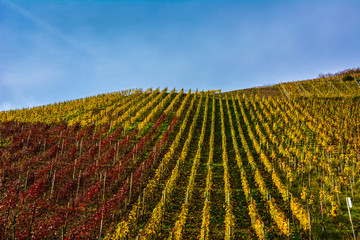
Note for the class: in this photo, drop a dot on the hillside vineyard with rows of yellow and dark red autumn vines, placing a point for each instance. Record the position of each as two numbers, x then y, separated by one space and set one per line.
271 163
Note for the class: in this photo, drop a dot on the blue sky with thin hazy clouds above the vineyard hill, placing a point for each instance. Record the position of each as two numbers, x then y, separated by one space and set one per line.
53 51
